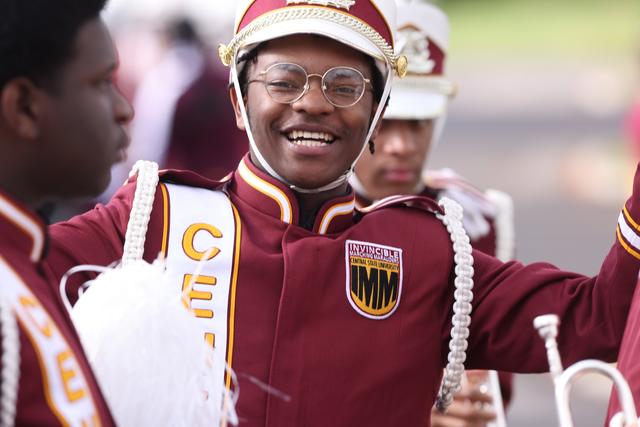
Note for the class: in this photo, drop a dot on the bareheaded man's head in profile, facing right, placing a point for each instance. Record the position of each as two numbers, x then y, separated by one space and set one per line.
61 117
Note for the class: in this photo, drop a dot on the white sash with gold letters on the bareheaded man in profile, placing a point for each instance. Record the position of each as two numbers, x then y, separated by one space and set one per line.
65 386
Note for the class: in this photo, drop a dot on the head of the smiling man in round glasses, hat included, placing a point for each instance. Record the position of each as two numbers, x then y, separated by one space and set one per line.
310 82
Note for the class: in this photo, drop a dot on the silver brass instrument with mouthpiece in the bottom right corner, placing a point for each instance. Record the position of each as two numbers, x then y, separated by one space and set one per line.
547 326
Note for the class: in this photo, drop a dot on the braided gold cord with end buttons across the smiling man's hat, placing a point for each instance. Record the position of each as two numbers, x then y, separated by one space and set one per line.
227 53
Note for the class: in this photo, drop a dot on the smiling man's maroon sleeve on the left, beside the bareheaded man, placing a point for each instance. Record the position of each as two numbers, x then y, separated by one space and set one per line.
94 238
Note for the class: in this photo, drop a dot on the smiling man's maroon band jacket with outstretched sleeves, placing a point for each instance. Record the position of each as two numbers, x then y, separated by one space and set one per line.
294 329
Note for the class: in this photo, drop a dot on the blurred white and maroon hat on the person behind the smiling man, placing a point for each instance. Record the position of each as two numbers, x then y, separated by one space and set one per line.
423 38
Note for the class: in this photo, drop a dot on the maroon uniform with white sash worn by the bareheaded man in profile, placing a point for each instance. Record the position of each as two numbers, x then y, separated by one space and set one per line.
56 385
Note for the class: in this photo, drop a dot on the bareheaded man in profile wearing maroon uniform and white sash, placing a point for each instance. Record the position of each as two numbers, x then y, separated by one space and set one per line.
61 129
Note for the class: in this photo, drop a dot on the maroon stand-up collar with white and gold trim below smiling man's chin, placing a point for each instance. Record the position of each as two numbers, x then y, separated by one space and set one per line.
273 198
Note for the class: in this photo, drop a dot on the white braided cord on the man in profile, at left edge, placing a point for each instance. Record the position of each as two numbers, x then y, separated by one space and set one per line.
10 364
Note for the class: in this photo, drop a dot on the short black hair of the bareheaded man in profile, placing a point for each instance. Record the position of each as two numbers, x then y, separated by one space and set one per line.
37 36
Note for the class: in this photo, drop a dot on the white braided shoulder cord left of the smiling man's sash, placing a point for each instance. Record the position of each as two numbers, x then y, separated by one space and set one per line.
140 210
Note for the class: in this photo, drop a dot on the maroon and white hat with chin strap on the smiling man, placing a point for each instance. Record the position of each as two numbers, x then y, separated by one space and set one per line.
365 25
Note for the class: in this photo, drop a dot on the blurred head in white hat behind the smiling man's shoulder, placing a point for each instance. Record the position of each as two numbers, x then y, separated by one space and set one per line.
417 108
